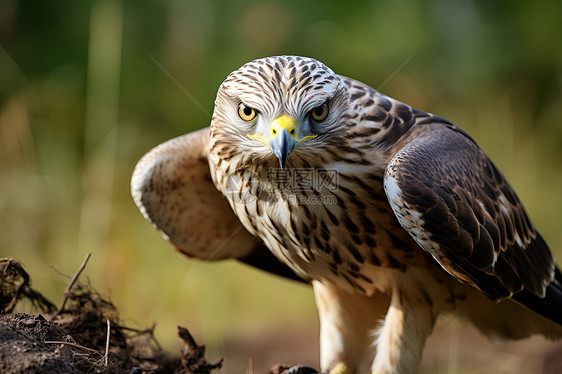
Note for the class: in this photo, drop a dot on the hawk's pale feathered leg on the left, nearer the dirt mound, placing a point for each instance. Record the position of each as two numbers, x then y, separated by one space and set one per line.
346 321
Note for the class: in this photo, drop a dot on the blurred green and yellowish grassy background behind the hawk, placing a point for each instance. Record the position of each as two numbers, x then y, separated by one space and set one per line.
87 87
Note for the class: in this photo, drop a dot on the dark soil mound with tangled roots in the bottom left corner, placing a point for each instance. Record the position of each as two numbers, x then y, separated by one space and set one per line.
84 335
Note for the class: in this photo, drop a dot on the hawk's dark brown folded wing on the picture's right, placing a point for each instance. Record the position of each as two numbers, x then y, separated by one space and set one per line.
456 204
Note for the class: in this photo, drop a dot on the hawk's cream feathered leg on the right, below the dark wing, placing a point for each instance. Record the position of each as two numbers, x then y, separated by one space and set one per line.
408 323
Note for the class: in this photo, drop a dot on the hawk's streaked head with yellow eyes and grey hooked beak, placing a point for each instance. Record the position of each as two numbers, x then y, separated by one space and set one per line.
277 107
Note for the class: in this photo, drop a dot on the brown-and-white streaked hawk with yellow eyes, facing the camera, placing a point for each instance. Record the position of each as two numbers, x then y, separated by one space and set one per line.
393 214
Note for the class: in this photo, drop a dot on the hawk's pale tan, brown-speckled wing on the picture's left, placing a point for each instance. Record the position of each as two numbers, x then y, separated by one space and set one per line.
172 187
